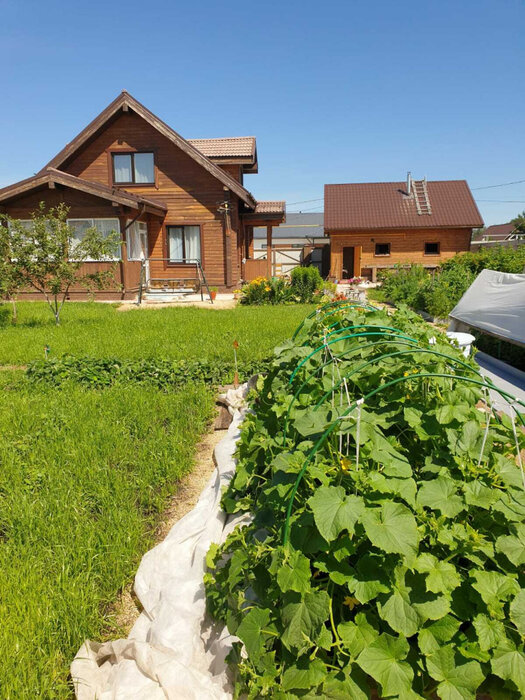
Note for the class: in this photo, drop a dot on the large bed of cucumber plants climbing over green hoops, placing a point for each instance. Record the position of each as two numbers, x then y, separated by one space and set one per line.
388 541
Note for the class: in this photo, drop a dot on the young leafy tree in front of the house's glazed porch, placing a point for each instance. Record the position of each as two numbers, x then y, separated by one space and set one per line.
48 256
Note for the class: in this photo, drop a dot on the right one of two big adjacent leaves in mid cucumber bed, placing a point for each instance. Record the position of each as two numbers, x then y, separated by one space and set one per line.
392 528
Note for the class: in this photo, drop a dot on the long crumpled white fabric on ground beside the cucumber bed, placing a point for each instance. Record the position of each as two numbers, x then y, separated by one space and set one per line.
173 650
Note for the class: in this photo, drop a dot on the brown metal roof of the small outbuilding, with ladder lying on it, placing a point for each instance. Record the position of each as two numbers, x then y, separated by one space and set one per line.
385 205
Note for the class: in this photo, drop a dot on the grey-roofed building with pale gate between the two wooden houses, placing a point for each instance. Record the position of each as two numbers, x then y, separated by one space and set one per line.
299 241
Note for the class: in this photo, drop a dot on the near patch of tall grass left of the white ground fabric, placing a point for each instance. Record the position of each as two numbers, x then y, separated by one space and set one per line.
80 492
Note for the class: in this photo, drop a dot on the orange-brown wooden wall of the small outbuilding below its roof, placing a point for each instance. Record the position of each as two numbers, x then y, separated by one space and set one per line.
405 247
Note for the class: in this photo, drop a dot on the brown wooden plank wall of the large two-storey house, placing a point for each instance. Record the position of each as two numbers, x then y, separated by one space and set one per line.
191 194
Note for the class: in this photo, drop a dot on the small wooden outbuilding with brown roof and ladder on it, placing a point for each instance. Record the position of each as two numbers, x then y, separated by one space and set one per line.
381 224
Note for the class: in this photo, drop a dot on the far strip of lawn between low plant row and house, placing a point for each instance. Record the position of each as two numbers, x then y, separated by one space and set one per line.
99 330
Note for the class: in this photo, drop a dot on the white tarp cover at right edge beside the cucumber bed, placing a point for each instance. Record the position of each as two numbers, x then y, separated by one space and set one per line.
495 303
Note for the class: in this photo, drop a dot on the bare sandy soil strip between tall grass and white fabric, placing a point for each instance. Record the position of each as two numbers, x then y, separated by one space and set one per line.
127 607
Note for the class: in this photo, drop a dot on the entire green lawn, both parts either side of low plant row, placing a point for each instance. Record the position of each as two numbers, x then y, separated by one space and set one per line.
85 473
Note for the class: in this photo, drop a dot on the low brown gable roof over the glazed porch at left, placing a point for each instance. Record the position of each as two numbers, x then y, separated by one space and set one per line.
53 176
